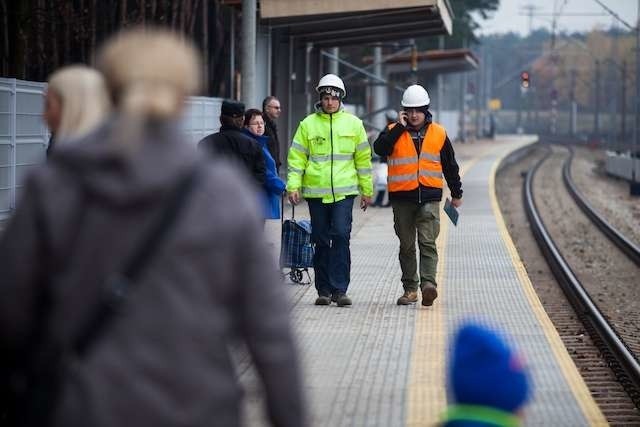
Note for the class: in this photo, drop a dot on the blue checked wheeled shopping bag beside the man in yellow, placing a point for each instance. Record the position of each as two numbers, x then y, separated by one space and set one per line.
296 251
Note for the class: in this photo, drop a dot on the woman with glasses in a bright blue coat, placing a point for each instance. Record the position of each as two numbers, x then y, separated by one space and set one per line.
274 186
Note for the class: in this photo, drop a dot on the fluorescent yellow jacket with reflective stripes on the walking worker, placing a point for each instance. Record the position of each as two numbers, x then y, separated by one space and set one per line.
330 158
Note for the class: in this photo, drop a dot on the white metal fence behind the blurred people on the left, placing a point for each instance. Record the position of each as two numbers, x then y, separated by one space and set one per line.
24 135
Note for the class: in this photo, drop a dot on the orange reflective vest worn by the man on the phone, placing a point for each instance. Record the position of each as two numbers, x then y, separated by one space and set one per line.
407 169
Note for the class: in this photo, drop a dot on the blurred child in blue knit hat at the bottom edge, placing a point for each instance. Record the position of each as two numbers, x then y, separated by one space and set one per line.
487 381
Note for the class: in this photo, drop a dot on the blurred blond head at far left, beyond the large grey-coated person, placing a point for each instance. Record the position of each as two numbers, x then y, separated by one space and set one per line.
75 104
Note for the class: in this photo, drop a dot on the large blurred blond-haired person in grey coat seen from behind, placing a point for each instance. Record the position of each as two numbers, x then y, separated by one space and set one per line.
161 357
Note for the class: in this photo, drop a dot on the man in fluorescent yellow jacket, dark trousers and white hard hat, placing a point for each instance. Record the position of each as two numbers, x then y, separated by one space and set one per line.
329 164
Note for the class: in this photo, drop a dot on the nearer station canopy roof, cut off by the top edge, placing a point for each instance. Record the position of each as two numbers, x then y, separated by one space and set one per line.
331 23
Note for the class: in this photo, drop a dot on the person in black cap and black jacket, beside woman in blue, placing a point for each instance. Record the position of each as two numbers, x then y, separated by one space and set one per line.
232 144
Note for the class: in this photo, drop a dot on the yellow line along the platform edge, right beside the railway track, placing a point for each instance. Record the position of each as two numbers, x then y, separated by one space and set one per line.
588 405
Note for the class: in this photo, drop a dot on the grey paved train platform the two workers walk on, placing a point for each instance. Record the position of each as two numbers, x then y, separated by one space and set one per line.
380 364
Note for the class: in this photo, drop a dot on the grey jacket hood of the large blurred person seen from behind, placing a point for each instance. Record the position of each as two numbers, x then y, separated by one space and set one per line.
125 162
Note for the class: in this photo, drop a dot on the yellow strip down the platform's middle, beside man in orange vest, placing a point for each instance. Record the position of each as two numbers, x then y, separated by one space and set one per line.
427 398
